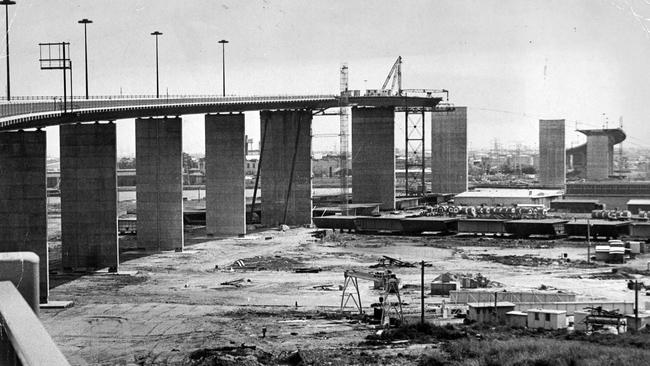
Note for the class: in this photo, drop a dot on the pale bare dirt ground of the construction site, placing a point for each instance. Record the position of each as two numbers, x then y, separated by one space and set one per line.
240 301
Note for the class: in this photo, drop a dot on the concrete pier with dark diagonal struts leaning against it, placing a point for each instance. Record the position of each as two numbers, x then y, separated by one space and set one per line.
285 167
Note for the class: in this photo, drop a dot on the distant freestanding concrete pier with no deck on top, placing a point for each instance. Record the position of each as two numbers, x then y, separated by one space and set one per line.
552 156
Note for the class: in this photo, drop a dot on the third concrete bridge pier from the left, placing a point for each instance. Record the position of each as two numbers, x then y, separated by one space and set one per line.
159 188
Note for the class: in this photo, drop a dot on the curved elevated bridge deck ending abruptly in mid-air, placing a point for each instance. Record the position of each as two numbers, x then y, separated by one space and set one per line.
37 112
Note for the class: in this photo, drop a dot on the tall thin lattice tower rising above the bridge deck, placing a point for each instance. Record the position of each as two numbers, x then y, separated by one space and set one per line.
343 137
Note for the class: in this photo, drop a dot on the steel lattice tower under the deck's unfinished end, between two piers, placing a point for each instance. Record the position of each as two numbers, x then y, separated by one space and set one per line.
415 161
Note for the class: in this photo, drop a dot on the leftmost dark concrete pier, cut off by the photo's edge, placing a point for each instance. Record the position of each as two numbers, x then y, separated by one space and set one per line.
23 199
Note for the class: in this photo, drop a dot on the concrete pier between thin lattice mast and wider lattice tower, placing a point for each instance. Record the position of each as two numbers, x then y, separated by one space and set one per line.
373 156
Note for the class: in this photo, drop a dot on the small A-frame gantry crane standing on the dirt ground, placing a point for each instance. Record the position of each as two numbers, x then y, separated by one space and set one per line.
387 281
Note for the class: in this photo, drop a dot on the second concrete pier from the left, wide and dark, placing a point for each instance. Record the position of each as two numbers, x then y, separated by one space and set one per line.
89 196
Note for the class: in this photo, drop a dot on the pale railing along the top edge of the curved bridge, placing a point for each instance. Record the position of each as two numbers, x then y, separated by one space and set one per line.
40 104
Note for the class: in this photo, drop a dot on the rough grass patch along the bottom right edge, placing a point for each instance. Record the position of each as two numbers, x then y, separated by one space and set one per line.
502 346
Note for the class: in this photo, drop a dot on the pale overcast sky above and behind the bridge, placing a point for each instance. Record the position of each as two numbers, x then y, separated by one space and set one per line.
510 62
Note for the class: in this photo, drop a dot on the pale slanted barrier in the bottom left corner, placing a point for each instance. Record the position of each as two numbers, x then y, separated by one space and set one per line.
23 339
